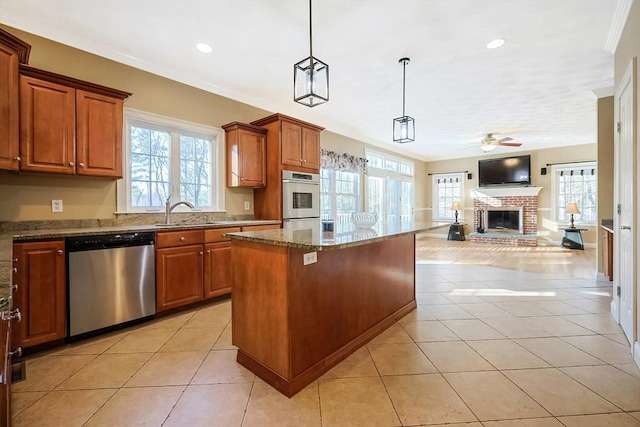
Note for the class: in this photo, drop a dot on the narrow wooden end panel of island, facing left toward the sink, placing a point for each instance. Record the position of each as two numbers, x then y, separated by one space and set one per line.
259 304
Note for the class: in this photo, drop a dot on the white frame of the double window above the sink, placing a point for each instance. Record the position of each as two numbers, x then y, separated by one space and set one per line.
173 126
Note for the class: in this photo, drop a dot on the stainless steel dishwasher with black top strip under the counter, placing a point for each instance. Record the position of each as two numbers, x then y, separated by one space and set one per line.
111 281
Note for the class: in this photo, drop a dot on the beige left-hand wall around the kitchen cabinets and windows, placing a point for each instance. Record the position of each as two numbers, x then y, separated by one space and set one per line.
24 197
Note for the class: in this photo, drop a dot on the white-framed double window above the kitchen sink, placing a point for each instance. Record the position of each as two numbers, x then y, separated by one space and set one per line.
167 157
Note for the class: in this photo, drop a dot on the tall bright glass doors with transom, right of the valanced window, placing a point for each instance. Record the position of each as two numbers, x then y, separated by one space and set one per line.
389 187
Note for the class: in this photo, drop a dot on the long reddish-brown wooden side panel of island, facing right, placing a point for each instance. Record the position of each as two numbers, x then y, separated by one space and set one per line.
345 294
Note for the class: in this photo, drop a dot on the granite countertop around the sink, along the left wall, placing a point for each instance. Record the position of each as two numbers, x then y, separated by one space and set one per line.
8 237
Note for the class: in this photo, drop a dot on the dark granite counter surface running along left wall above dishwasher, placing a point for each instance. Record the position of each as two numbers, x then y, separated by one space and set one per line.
40 230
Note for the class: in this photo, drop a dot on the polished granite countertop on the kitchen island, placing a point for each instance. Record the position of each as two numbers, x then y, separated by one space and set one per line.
313 238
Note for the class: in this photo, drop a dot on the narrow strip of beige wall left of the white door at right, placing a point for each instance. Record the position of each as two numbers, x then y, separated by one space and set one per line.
605 166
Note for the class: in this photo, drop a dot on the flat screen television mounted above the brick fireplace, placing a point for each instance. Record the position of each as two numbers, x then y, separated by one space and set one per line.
505 171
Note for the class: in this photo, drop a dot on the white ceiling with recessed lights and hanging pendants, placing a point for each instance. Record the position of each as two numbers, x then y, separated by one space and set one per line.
537 88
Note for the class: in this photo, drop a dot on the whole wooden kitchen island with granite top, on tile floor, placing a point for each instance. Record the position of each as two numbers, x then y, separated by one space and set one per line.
303 300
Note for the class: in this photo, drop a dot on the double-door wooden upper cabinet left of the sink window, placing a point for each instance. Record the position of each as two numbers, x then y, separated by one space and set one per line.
69 126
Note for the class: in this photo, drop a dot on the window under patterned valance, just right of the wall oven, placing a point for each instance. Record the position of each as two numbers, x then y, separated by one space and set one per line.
339 195
